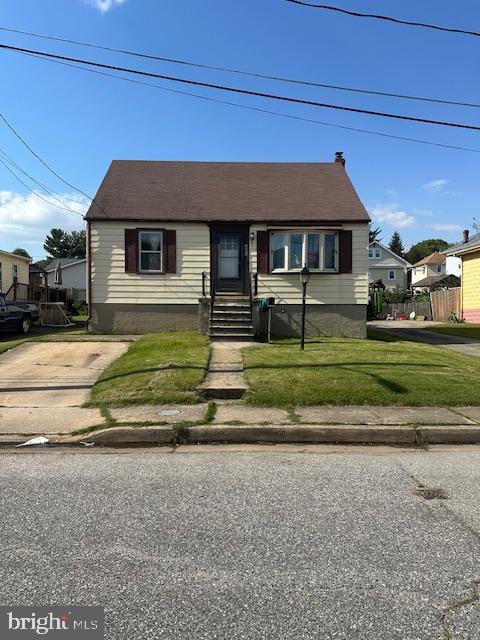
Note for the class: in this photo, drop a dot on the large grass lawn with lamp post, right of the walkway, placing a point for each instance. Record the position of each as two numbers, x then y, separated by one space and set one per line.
342 371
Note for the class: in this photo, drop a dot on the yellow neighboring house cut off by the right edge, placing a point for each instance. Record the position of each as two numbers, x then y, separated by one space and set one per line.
469 253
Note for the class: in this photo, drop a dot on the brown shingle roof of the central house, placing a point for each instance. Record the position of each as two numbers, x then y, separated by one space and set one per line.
228 191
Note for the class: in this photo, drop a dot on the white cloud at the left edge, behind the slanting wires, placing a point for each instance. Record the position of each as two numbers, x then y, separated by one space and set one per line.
26 219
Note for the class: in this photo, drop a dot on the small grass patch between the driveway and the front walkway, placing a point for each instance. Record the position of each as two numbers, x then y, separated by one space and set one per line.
160 368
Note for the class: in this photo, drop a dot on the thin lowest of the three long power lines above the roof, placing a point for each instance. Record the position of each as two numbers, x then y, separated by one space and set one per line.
258 109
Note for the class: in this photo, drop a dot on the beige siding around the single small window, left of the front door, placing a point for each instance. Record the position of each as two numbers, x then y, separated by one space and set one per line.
111 284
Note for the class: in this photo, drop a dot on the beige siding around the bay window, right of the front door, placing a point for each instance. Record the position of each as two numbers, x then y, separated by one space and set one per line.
323 288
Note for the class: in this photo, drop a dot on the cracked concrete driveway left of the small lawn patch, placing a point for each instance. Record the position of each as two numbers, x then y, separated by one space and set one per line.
44 384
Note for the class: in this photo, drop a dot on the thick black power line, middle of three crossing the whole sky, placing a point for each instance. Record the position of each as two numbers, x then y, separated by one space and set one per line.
258 94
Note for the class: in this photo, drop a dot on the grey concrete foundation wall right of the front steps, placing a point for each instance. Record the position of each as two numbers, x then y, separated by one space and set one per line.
342 320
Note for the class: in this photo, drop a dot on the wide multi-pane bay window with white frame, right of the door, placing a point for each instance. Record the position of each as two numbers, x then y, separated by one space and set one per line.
291 250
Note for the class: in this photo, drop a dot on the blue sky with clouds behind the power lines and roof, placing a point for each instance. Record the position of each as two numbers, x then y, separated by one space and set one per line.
79 121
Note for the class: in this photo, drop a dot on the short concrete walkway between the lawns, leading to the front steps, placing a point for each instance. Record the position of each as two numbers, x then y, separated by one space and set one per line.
225 379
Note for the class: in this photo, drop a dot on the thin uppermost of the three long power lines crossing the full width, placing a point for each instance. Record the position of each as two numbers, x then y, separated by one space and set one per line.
243 72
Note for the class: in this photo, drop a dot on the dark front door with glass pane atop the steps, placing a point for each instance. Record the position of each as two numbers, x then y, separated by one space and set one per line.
230 261
